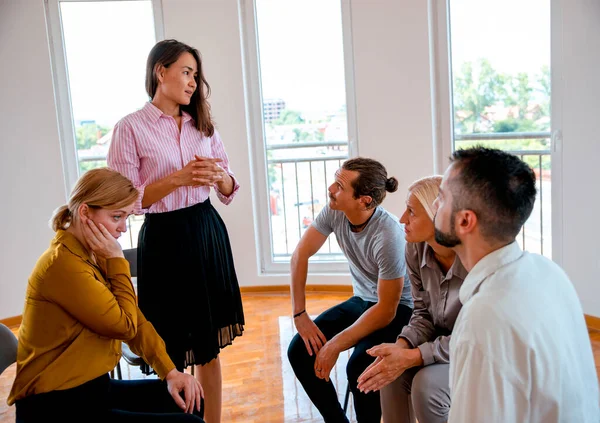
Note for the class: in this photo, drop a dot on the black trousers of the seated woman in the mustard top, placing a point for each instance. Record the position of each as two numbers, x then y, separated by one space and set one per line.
106 400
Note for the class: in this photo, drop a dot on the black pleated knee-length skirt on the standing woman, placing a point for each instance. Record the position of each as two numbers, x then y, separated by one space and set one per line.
187 285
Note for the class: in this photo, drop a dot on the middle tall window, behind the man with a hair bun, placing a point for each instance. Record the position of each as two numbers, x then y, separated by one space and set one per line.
302 122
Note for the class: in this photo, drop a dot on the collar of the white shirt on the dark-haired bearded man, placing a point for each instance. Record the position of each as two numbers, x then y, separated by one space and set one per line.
486 267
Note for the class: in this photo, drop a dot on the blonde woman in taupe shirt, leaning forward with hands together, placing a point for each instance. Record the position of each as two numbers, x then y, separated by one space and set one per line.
413 373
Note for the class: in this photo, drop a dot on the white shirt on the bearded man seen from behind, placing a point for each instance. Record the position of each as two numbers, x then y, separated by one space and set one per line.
520 351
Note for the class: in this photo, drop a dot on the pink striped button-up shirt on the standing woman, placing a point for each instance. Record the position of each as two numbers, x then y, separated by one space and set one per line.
147 146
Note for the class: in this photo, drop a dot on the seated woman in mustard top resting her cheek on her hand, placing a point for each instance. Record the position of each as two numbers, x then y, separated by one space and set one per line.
80 305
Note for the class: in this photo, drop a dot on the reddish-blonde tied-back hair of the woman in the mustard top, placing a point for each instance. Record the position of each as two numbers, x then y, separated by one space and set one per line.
98 188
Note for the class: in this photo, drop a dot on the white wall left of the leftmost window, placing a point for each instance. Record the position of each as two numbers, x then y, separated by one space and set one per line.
30 161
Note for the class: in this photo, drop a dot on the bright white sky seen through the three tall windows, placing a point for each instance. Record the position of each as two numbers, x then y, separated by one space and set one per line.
300 49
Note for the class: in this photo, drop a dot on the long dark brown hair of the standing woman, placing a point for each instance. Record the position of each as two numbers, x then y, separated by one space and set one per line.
167 52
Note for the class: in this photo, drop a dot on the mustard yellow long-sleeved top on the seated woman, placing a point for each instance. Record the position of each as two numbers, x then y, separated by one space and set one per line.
76 315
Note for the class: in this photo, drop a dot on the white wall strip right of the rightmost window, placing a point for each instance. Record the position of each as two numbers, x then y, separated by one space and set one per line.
576 58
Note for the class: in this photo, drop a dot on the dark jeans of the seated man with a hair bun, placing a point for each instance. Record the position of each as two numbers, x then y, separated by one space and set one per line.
321 392
